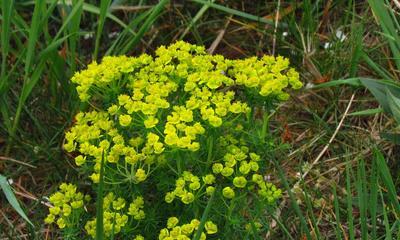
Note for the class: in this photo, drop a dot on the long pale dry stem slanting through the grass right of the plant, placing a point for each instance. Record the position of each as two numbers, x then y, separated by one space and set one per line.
279 210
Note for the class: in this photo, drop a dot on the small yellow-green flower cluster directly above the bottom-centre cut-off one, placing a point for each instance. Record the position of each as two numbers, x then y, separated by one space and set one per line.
186 187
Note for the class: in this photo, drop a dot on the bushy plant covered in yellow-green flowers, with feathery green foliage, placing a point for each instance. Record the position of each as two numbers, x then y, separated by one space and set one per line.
176 142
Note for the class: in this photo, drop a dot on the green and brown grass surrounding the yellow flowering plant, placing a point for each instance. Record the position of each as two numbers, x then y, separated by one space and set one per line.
340 166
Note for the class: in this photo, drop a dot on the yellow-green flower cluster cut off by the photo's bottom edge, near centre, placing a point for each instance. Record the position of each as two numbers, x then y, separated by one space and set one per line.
185 231
